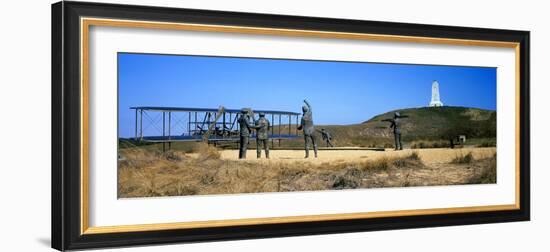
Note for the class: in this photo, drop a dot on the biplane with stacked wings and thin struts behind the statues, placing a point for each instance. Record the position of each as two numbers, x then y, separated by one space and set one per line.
180 124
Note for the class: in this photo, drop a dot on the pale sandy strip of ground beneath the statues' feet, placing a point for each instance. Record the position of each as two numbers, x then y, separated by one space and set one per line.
429 156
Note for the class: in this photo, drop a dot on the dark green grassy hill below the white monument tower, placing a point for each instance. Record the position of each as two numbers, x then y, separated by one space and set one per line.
426 123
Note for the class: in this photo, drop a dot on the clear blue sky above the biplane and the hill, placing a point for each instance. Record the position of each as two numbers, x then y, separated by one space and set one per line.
340 92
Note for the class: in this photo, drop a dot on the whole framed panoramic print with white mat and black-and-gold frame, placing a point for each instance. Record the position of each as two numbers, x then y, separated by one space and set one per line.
179 125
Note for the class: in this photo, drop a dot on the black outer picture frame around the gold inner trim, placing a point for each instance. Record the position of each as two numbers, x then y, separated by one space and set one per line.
66 114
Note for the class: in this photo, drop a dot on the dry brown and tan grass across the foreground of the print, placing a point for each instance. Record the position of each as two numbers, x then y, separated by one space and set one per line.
147 173
